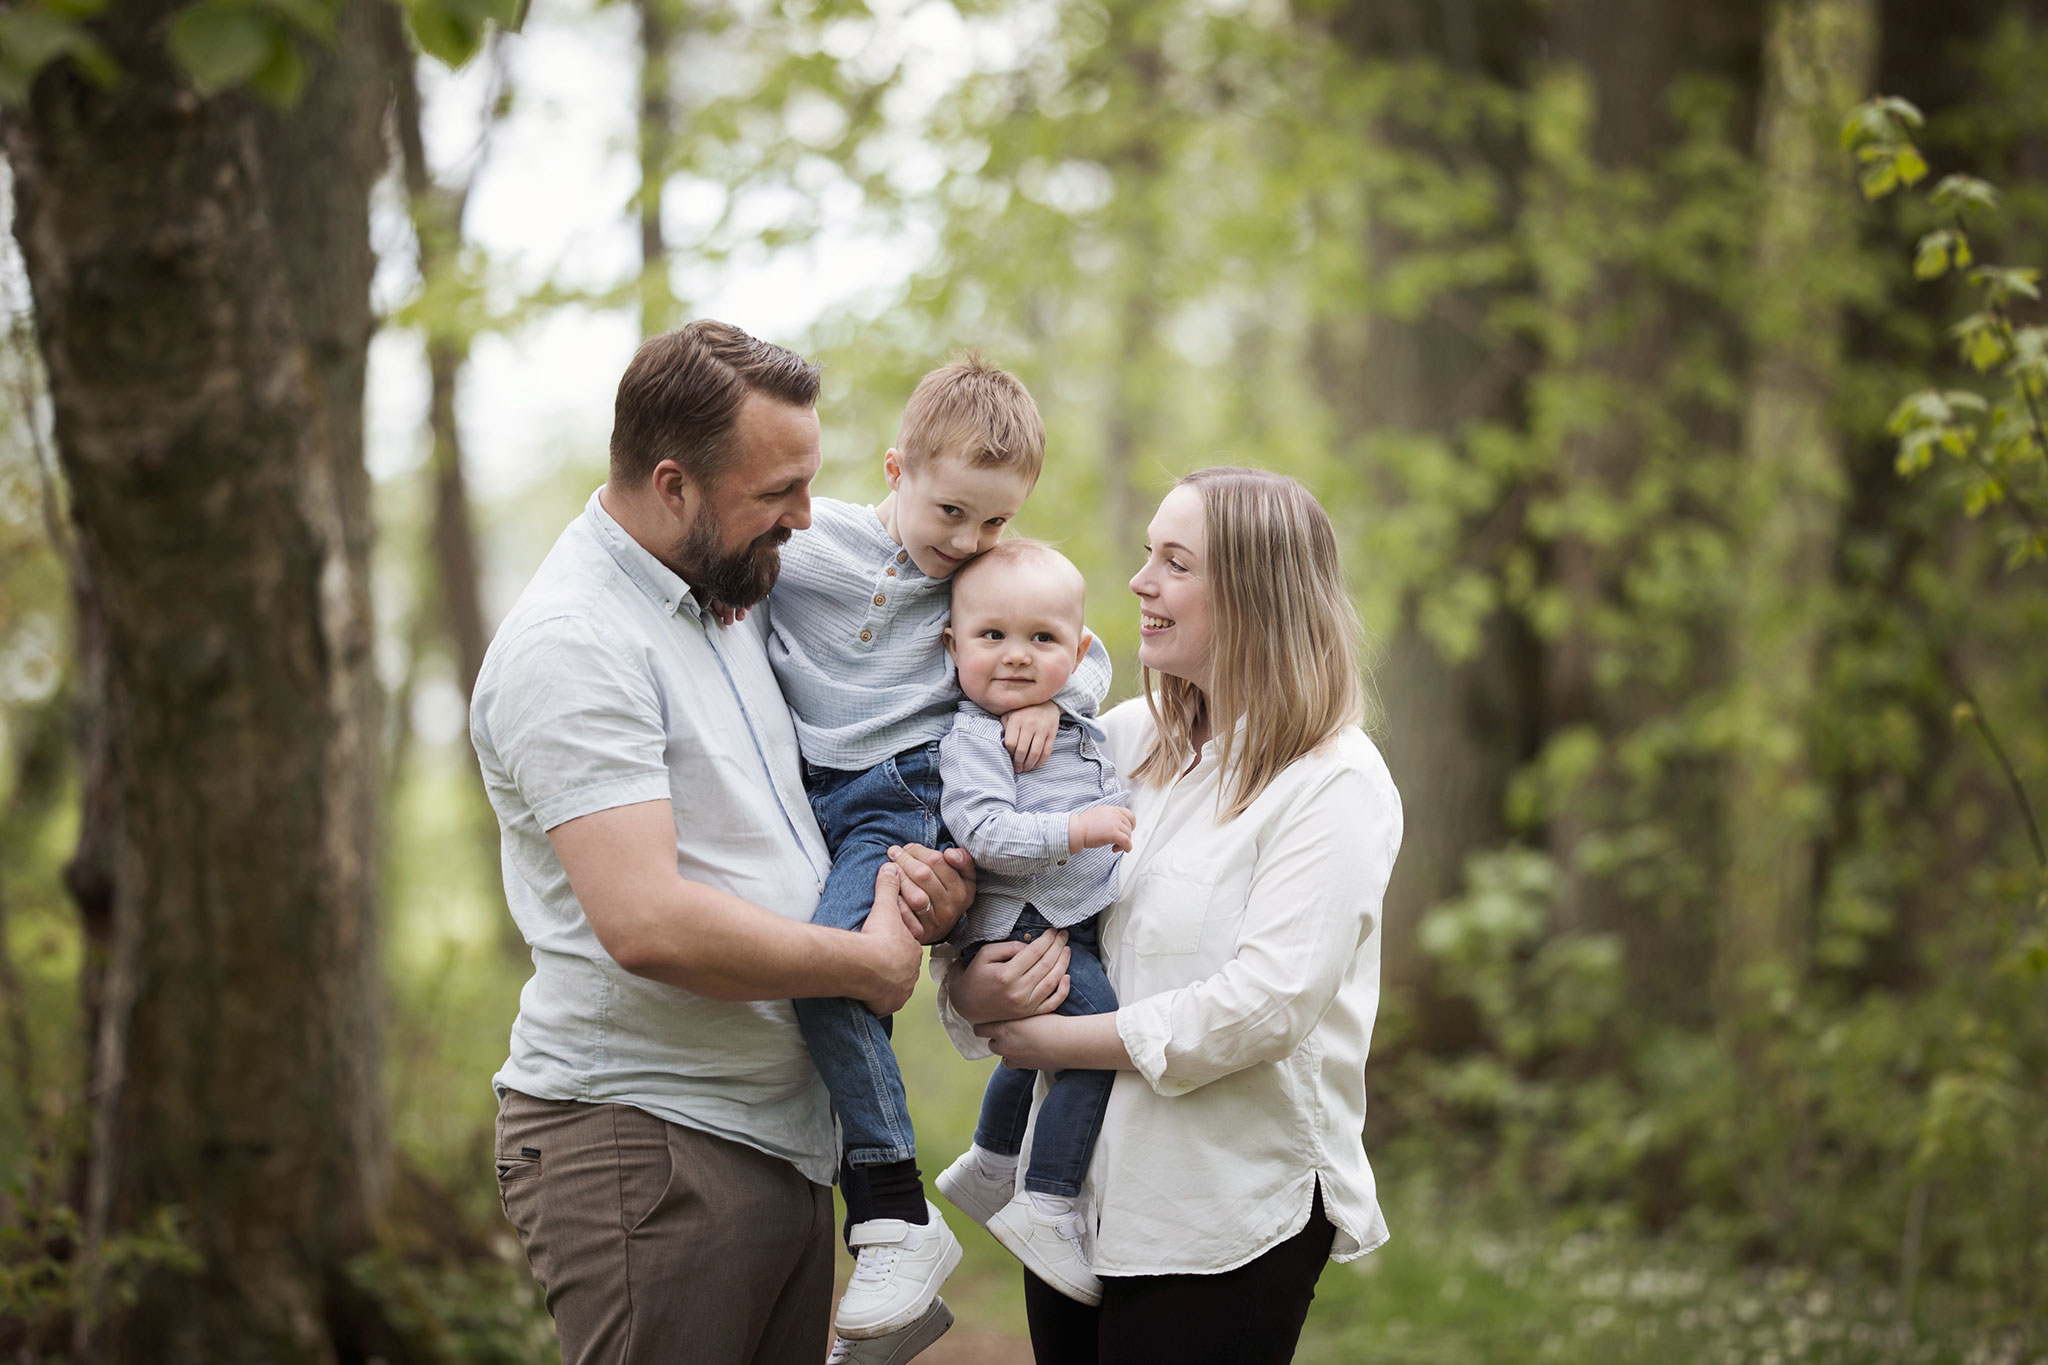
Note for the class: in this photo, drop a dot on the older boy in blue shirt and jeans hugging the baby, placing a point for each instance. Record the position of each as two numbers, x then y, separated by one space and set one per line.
855 635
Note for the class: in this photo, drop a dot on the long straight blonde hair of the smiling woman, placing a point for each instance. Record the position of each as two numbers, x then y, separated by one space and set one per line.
1285 640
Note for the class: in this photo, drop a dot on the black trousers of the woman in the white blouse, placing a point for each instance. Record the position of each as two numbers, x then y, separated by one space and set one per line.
1244 1317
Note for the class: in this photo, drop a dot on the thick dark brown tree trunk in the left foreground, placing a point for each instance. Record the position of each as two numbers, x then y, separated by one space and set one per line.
202 290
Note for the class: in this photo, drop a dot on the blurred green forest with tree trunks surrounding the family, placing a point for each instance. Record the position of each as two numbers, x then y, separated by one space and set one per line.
1684 431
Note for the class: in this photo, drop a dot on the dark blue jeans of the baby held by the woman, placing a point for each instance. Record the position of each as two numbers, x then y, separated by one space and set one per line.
1072 1112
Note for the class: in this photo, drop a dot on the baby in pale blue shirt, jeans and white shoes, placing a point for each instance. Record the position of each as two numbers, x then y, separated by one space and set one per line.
1048 844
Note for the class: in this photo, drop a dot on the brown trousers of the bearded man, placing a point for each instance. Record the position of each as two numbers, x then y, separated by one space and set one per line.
658 1243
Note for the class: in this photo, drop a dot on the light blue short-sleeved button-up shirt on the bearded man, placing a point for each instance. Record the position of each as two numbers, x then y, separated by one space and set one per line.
607 687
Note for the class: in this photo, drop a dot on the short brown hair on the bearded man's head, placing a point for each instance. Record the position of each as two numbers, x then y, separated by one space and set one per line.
681 398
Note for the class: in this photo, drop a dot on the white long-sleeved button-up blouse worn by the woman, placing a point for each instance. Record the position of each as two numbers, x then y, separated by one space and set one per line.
1248 963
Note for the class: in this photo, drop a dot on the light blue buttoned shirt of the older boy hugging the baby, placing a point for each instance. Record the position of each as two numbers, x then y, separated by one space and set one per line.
855 637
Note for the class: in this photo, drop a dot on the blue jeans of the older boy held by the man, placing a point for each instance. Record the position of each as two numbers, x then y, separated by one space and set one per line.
861 816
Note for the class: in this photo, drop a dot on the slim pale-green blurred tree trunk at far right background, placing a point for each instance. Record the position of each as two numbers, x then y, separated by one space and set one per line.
1820 58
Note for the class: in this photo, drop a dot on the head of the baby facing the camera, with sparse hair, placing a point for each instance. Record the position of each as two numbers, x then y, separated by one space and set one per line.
1017 635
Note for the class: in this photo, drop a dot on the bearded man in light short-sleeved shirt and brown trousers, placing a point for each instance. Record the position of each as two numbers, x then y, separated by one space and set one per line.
665 1145
